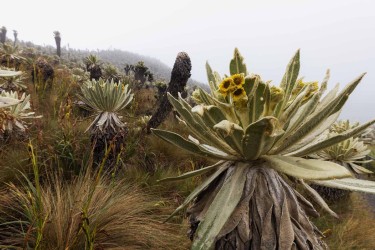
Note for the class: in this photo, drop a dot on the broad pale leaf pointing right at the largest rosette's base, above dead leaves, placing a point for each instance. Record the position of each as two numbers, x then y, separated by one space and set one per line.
307 169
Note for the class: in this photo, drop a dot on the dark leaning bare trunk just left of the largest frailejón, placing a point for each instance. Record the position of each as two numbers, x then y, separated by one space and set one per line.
180 76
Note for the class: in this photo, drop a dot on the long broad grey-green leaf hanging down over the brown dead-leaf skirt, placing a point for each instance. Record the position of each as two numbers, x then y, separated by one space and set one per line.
221 208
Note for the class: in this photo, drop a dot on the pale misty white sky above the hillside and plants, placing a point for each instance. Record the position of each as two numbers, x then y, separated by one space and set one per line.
334 34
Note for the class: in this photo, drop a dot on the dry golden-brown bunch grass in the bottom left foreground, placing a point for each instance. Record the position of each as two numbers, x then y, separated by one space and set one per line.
120 216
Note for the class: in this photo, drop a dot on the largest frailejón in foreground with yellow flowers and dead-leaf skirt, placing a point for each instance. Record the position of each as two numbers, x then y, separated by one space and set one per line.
260 133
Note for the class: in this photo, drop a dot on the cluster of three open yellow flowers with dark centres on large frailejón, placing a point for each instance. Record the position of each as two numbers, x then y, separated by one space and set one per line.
233 86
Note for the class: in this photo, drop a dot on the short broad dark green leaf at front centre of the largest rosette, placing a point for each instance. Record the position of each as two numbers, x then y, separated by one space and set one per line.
256 137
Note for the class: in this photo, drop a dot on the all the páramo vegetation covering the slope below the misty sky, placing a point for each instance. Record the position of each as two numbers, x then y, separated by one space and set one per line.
243 163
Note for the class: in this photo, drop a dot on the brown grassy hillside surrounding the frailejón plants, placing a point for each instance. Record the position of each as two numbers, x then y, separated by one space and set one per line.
56 194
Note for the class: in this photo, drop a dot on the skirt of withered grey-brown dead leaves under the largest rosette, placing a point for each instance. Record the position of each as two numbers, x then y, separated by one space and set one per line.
270 215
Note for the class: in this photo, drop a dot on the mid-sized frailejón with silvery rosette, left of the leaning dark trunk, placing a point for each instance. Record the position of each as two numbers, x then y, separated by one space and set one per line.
106 99
